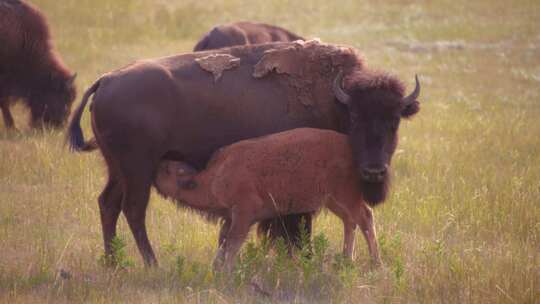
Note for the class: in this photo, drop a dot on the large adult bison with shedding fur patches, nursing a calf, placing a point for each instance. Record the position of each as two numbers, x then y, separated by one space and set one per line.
185 107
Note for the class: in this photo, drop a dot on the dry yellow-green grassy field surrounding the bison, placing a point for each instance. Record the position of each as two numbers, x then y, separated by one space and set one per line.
462 224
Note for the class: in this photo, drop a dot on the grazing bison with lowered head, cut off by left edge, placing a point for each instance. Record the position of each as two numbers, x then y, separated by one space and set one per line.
29 67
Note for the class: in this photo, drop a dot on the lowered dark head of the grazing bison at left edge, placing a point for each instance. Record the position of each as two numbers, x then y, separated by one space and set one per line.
53 104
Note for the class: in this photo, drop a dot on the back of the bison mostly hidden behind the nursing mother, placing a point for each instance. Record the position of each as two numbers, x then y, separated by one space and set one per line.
243 33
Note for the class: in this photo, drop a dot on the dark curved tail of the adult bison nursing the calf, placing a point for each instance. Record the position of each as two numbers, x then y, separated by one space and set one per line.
75 136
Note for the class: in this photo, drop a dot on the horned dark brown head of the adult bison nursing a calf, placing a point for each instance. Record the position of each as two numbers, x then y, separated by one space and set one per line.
376 104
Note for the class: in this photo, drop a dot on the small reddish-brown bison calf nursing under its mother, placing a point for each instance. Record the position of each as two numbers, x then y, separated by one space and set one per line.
292 172
